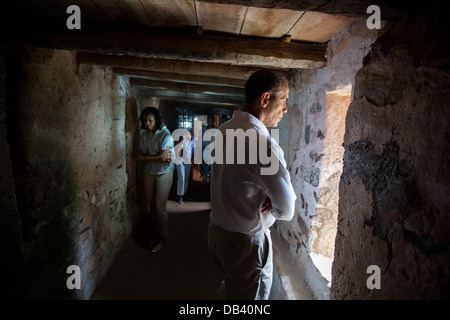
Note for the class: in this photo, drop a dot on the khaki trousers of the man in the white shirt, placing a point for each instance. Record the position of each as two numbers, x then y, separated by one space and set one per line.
242 263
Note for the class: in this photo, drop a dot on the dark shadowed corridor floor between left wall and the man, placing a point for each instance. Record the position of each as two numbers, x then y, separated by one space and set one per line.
181 271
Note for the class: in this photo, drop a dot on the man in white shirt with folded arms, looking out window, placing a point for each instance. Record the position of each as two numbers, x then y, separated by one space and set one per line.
248 196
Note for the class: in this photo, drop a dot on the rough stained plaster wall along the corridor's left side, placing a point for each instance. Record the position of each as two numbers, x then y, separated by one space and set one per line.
73 185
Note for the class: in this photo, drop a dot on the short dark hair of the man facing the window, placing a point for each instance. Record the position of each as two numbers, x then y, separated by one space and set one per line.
264 80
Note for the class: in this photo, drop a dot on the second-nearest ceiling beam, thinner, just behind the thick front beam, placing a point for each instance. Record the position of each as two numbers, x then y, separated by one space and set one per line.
184 78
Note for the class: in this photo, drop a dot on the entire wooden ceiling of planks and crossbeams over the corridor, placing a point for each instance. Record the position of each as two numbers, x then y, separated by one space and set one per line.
206 47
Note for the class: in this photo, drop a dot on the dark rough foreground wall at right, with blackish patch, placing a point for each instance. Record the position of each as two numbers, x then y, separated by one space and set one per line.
394 192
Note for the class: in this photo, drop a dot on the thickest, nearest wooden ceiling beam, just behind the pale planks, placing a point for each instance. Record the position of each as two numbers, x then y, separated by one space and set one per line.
179 45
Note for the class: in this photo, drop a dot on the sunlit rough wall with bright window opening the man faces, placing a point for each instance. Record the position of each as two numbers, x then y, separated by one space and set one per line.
312 135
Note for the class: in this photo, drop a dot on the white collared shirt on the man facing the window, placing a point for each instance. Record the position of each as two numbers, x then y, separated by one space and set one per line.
239 190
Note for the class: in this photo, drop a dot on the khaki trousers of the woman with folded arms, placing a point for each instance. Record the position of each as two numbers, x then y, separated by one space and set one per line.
157 188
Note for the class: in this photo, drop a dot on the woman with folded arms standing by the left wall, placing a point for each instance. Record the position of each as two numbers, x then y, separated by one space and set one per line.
155 150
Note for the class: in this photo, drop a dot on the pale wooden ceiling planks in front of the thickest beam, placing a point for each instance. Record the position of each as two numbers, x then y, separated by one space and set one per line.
225 18
